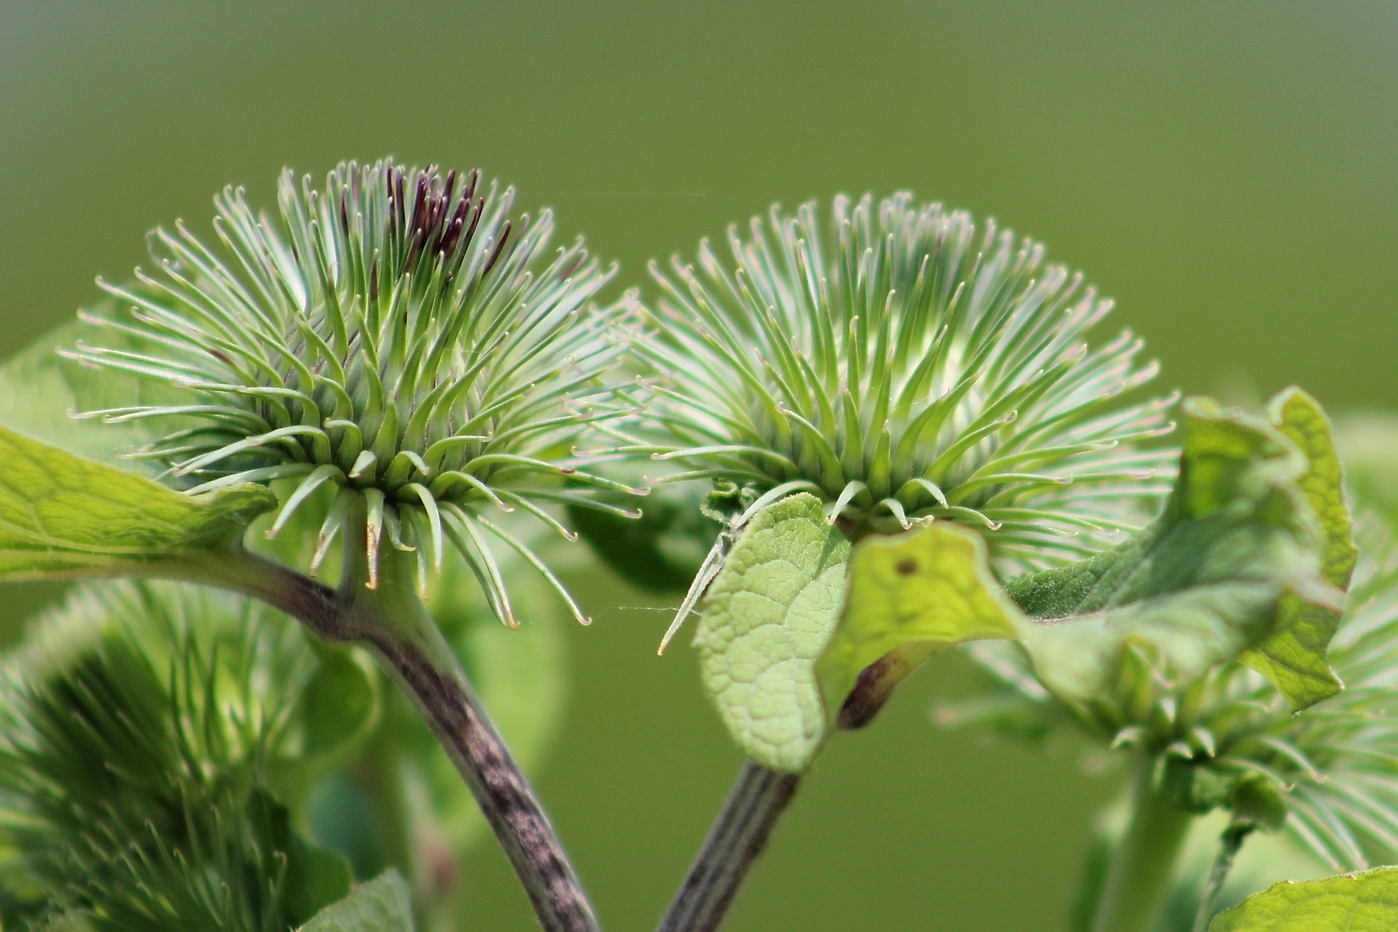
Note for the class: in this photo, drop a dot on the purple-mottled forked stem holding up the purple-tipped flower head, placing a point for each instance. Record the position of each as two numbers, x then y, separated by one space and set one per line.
395 622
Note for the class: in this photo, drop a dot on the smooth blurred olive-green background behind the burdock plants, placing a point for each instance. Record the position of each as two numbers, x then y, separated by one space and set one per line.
1225 170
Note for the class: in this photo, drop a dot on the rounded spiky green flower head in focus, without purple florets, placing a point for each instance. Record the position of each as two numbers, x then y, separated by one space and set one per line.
898 363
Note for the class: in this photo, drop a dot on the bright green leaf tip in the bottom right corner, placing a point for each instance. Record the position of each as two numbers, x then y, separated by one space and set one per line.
1365 902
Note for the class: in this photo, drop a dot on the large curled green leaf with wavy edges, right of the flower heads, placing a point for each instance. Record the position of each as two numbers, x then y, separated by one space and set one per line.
1238 558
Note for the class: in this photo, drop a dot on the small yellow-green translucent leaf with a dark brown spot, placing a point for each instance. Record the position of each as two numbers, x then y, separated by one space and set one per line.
909 597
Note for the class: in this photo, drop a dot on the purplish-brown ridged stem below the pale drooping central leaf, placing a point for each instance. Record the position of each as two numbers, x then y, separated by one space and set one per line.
742 832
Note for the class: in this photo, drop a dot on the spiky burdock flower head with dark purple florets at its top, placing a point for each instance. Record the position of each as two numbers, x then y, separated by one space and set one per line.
396 336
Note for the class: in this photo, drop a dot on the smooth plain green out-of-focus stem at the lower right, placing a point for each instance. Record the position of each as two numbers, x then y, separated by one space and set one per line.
1144 863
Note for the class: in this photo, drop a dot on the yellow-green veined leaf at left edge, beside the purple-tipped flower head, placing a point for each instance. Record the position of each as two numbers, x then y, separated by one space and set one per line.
62 516
